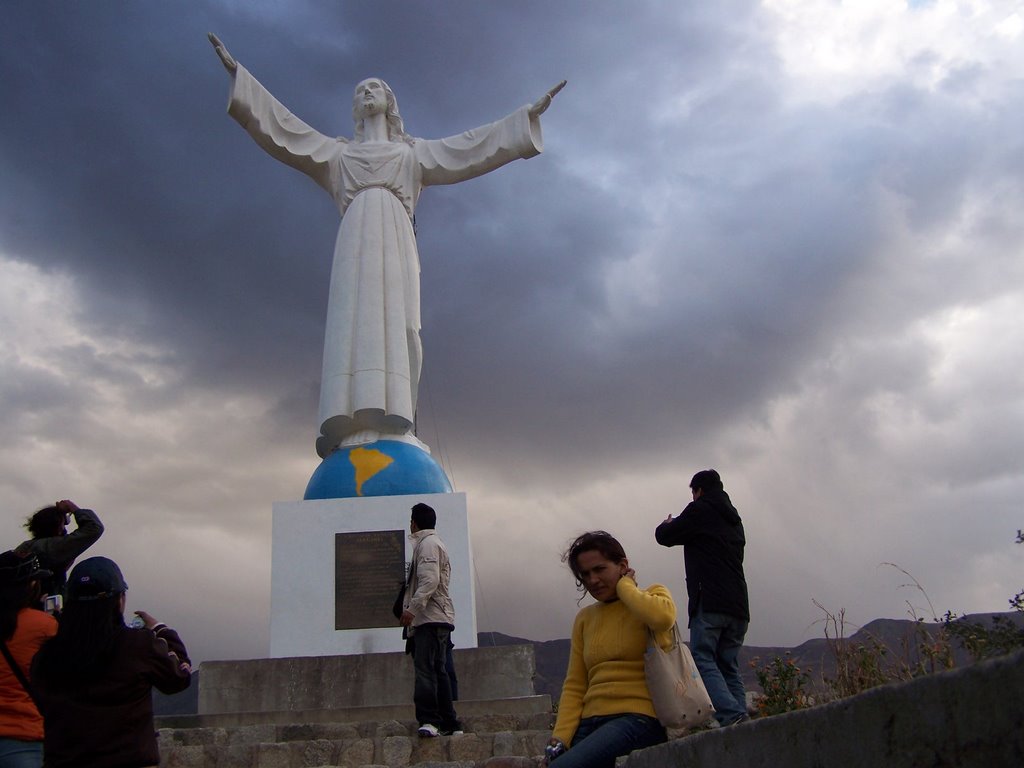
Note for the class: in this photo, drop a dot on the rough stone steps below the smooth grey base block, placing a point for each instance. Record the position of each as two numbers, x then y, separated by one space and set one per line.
494 739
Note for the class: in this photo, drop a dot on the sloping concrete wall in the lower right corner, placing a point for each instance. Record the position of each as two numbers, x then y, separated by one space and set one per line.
968 718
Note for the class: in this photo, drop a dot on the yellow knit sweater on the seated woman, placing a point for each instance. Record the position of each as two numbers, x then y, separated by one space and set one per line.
606 674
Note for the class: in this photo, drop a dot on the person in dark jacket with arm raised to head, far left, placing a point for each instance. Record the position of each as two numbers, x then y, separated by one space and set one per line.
56 548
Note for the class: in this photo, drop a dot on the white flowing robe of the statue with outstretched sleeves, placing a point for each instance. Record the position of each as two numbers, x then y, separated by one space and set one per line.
372 351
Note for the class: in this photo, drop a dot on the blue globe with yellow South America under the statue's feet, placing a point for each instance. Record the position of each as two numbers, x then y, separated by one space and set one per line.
380 468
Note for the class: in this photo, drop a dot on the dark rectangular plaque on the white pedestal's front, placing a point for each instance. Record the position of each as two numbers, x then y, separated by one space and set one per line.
369 570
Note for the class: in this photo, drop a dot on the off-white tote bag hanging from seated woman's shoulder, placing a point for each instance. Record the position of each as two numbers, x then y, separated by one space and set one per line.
679 695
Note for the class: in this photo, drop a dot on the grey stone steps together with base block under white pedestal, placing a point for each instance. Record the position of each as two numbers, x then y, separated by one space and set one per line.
357 711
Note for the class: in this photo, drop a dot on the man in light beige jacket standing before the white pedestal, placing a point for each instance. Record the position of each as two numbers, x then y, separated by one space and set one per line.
430 617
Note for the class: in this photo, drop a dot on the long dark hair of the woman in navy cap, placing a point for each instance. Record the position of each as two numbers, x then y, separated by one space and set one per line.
84 646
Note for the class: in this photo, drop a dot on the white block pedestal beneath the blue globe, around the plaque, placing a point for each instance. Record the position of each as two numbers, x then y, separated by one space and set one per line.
303 572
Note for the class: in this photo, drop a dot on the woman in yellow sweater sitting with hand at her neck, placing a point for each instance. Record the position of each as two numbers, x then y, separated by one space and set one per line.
606 710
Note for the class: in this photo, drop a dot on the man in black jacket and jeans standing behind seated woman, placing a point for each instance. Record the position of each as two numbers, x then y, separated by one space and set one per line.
712 536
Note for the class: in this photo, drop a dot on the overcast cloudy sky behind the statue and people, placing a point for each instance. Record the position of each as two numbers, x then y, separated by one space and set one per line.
782 239
